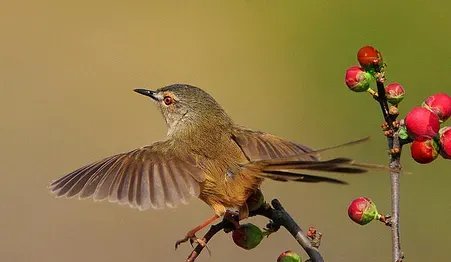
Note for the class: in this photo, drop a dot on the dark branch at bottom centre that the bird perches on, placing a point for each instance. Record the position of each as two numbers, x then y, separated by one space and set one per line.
279 217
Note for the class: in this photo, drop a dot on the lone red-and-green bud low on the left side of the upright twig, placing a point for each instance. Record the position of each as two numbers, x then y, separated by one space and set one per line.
362 211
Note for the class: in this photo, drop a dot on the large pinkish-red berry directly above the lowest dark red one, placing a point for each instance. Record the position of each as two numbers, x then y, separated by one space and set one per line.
421 122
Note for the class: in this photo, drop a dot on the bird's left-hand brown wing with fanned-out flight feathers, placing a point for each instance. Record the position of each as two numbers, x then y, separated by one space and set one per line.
151 176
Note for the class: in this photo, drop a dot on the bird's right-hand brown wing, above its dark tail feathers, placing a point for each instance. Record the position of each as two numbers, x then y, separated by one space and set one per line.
258 145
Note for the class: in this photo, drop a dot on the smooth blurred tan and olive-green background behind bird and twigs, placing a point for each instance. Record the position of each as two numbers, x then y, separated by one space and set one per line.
67 71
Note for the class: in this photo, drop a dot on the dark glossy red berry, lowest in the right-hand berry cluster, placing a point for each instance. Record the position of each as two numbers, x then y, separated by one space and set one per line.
424 150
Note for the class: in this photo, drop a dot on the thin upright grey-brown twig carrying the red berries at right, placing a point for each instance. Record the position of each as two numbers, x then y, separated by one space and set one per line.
395 164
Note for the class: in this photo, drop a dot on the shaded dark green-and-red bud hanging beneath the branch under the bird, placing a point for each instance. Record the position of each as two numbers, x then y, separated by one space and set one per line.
247 236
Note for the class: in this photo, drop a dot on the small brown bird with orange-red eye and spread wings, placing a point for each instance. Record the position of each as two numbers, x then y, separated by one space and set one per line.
204 155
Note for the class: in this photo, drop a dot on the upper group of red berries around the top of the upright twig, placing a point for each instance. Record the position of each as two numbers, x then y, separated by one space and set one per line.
422 124
